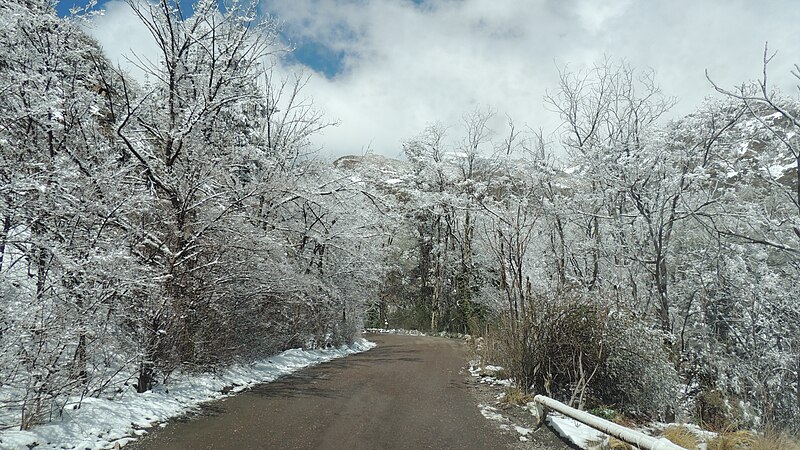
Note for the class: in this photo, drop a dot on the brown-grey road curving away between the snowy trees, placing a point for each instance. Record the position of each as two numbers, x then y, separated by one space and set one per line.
408 393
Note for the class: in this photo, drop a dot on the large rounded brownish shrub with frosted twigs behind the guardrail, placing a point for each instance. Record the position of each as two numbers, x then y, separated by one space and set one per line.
588 354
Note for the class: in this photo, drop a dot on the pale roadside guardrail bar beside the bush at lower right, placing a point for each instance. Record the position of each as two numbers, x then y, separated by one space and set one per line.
544 404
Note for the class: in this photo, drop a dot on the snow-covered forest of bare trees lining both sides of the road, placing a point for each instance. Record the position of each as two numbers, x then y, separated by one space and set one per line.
186 221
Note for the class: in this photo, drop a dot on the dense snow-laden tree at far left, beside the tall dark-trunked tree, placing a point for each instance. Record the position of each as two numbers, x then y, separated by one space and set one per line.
61 268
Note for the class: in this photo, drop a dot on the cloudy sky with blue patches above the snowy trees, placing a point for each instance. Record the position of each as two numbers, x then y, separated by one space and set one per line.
385 68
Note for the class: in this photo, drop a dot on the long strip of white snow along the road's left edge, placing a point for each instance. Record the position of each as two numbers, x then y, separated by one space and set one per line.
100 423
